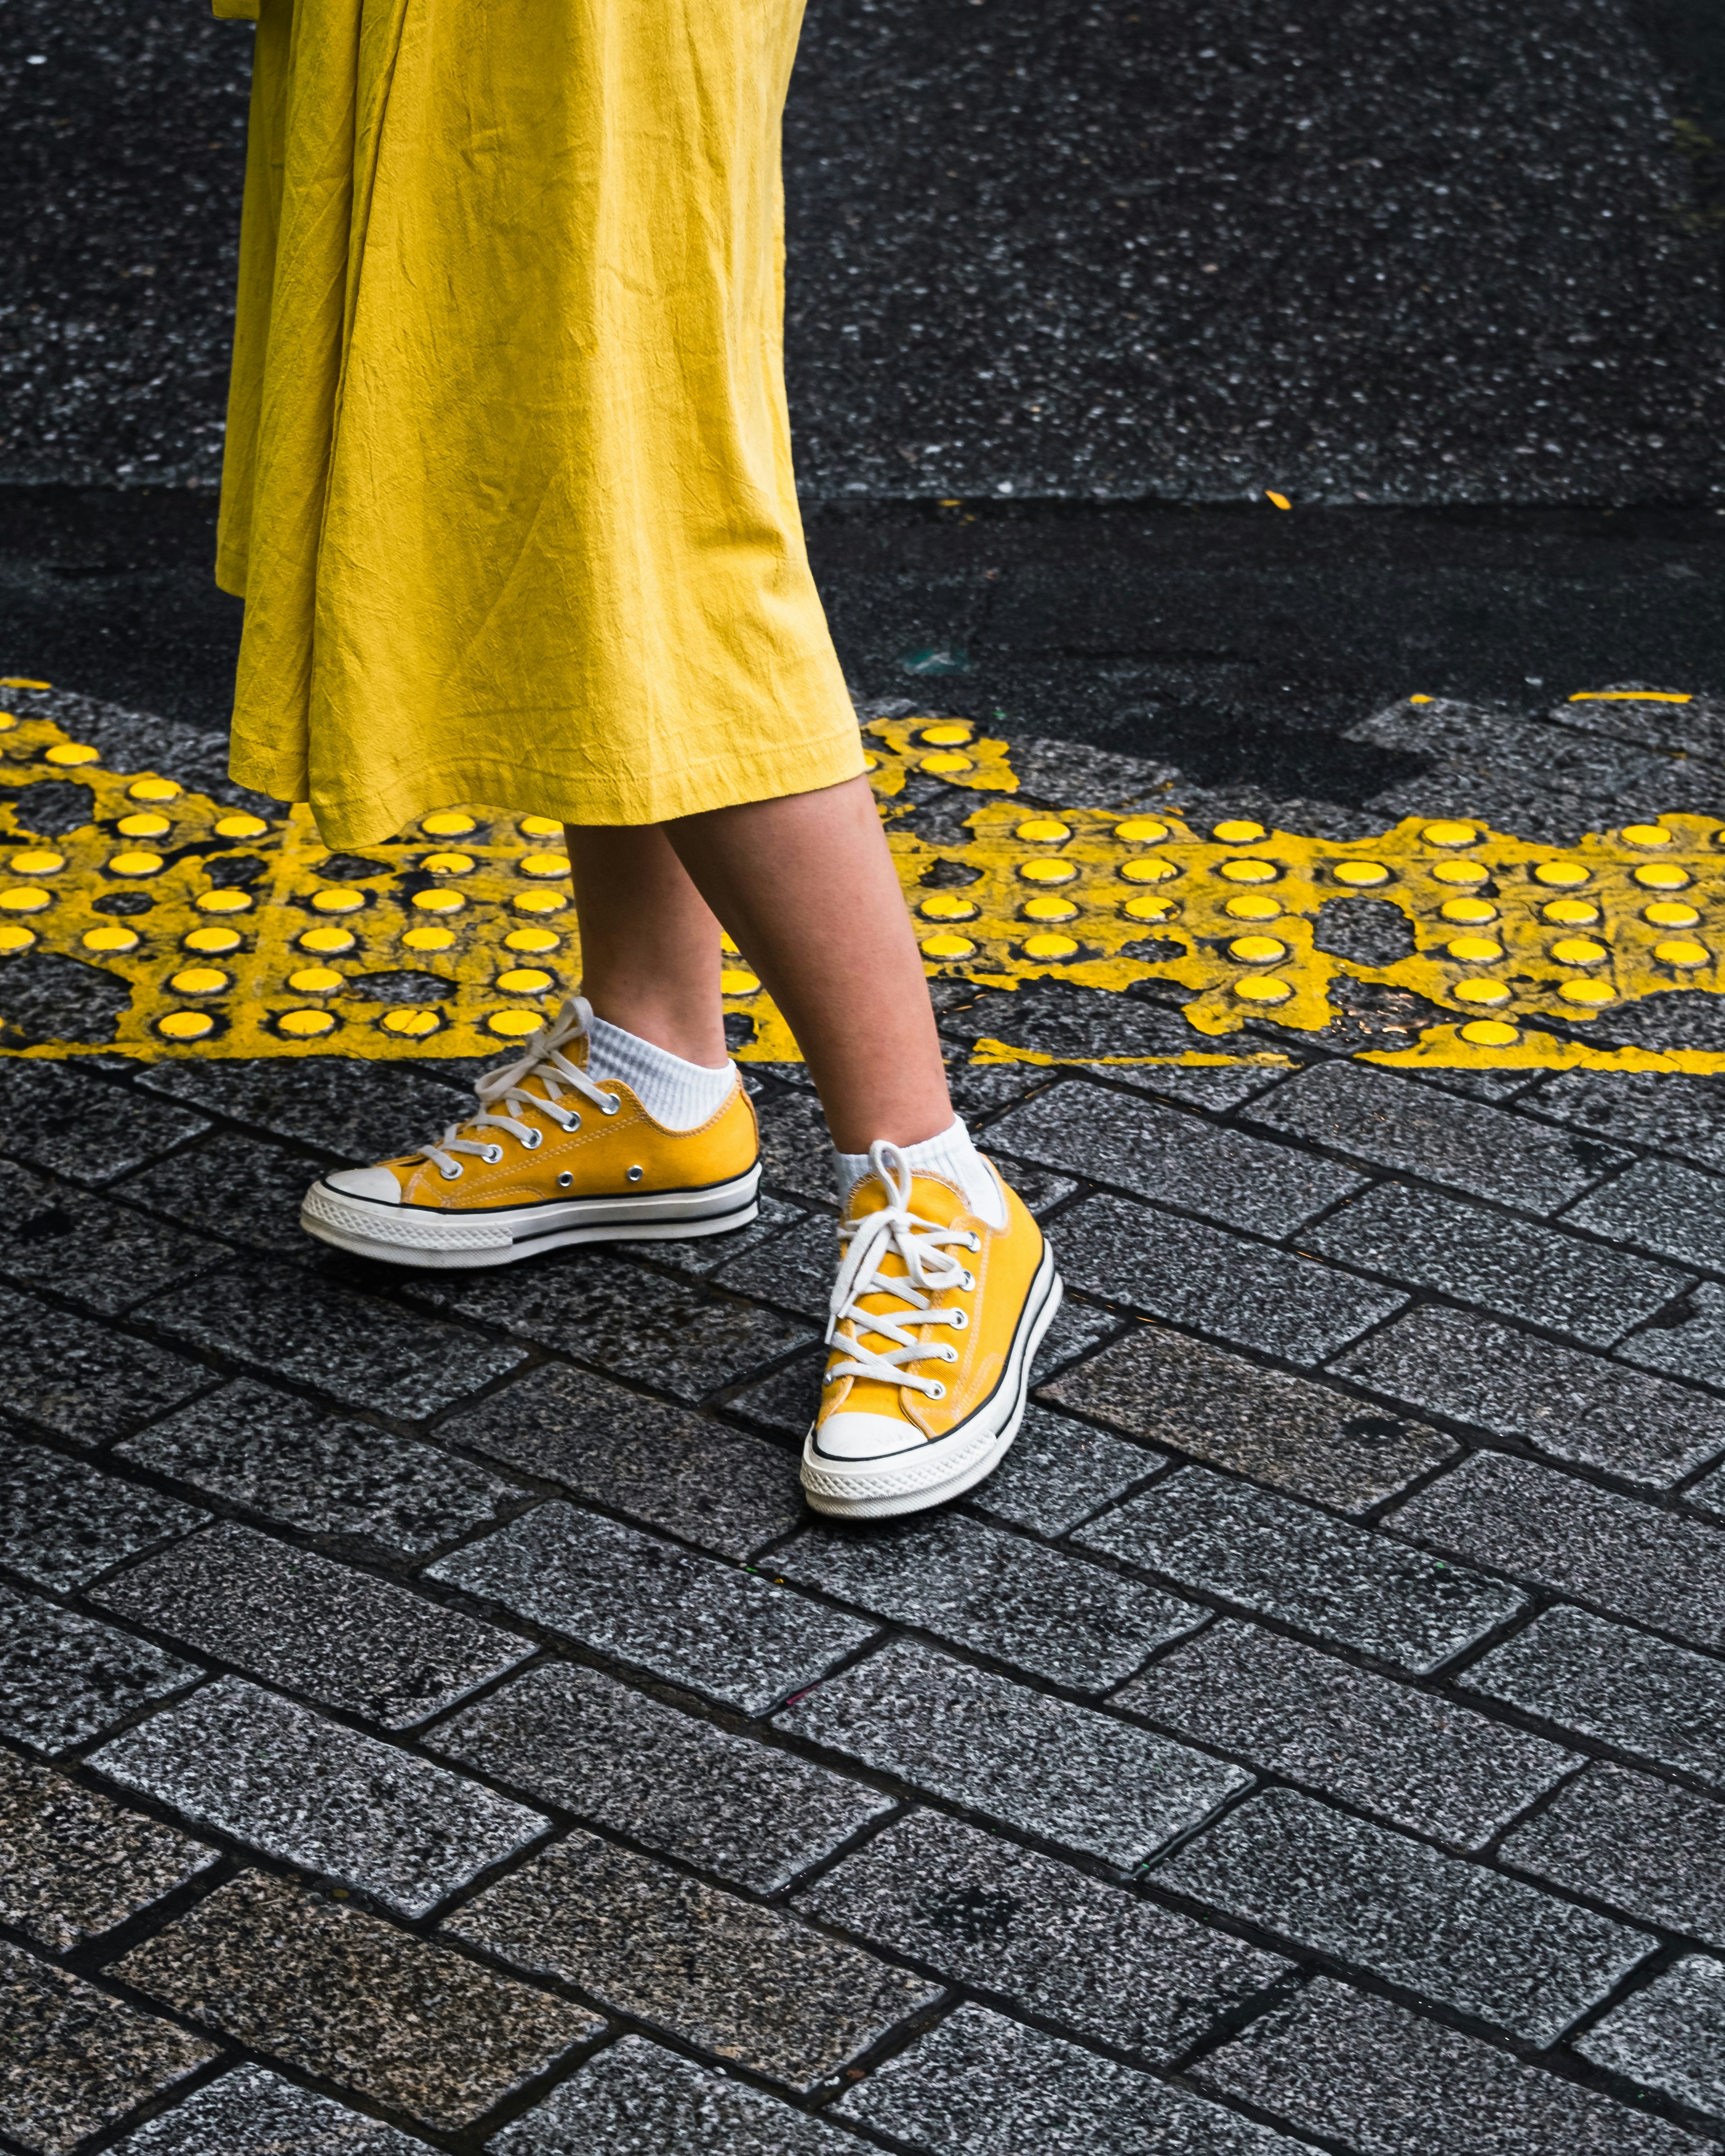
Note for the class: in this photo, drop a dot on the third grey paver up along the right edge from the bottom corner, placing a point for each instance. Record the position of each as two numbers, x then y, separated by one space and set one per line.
1607 1683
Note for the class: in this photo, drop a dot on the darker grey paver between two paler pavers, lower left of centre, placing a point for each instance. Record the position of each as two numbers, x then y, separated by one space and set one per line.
721 1803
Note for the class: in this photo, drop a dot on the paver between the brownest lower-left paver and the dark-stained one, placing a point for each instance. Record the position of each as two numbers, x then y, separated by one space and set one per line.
726 1976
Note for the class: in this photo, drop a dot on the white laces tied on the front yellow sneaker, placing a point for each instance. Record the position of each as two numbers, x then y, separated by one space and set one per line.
930 1269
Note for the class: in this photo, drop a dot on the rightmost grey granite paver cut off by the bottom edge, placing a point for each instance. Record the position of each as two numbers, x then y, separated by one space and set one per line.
1372 2077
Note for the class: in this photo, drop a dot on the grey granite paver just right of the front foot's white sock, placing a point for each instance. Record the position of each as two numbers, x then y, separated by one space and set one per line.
1174 1157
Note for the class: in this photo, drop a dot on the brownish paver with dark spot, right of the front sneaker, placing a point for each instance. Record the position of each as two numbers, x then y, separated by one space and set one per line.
1288 1433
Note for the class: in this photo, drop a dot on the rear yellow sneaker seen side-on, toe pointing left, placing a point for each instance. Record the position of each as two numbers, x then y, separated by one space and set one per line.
551 1157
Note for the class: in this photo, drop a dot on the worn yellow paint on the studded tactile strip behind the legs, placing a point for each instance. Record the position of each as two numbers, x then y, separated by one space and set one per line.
1140 898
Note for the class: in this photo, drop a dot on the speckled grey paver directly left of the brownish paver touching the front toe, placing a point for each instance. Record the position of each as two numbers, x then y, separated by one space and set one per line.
286 1461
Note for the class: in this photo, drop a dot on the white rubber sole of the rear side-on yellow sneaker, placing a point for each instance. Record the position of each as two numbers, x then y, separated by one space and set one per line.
454 1241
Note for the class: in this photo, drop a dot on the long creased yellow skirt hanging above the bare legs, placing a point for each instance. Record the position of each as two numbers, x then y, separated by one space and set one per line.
508 482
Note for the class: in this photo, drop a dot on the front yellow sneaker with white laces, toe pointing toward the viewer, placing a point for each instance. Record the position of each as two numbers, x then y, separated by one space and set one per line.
937 1321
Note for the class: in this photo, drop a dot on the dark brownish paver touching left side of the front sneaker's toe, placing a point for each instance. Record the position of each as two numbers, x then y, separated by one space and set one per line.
659 1465
